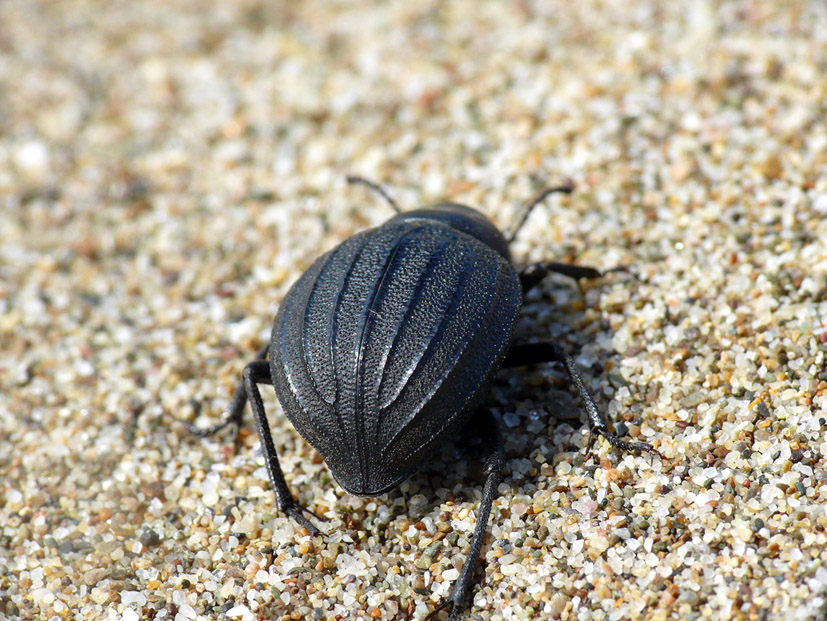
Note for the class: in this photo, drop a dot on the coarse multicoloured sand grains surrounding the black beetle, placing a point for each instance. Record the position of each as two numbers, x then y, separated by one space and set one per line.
167 170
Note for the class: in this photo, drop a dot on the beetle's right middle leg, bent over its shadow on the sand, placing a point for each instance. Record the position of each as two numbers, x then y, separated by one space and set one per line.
546 351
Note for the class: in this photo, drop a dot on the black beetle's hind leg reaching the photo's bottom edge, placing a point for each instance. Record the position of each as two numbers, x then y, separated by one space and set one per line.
489 429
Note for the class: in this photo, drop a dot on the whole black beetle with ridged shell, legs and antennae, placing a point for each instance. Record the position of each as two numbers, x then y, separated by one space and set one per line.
385 346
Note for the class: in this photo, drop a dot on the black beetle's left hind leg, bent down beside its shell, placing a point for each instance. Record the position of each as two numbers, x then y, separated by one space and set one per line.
255 373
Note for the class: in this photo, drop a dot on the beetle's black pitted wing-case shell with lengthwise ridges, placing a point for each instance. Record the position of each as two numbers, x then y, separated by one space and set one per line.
382 348
